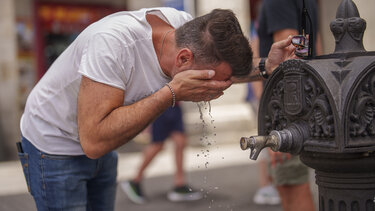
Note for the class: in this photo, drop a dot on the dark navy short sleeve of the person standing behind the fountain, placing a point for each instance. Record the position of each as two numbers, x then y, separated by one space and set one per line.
281 15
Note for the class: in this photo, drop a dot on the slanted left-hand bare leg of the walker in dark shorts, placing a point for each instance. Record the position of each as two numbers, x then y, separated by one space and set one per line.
148 155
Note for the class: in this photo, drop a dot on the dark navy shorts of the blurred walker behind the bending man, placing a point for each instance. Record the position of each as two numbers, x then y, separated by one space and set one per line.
168 122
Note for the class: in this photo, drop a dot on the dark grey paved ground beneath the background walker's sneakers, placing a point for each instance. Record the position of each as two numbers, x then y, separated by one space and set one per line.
228 188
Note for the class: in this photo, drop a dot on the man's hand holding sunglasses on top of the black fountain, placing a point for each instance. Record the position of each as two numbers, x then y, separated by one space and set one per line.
280 51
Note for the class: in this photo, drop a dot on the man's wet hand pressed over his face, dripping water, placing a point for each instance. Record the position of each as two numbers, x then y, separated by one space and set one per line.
197 85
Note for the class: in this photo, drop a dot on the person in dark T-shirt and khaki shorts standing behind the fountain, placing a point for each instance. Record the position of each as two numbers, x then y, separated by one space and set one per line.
278 20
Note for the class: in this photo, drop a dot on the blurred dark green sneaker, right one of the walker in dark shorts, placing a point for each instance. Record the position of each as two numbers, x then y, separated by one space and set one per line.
184 193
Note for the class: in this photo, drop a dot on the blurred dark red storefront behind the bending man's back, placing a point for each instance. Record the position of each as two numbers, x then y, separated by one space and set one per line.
57 24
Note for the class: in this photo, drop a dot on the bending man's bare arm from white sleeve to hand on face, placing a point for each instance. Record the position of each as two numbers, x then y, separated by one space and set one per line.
105 124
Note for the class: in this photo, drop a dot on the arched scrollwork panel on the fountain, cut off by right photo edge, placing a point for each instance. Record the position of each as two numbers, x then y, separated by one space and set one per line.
362 116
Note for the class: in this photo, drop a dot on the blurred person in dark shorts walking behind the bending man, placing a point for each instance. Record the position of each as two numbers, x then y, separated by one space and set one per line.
168 125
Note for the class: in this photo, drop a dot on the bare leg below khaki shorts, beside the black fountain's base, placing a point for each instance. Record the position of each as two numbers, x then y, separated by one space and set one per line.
296 197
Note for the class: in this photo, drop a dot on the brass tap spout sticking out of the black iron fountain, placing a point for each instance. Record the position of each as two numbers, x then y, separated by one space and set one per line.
257 143
